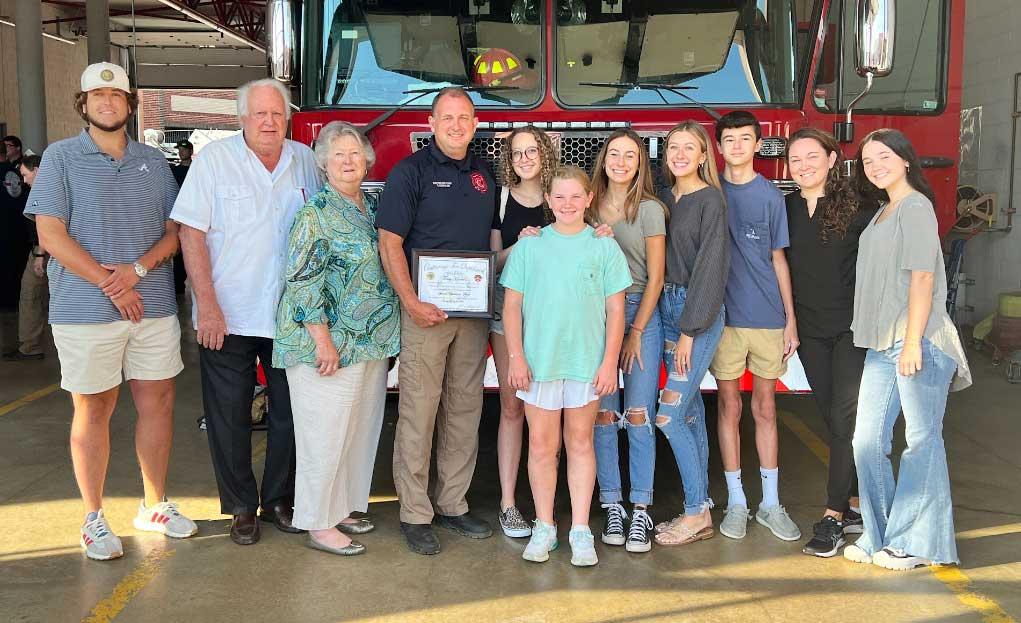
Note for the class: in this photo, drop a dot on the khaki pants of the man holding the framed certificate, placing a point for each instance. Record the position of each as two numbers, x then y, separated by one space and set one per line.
441 375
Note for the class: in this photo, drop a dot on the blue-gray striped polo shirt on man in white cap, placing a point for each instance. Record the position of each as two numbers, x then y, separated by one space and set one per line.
117 211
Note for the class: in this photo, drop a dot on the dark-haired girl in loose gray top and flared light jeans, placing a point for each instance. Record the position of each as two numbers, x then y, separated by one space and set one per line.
914 359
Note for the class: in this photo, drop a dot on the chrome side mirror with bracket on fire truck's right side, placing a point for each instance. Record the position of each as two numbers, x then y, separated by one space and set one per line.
874 26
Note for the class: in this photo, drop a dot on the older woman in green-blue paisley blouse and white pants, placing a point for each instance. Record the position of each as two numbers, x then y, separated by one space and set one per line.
337 324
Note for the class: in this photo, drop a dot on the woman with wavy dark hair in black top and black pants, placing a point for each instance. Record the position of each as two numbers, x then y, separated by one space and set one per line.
825 220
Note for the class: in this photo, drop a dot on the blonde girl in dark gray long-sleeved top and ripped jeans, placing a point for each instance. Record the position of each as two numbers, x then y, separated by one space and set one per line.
693 316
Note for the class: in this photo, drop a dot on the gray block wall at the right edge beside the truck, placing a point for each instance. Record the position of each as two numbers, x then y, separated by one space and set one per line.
993 44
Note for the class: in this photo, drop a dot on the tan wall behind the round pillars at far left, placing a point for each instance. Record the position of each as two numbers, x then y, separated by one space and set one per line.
64 66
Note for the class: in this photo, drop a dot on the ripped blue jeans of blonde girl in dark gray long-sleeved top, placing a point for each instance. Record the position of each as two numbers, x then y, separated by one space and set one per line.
683 413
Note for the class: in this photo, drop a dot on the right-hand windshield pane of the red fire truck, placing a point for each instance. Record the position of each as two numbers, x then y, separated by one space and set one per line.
732 52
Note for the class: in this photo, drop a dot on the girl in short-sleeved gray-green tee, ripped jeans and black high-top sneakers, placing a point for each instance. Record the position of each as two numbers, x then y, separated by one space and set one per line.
623 199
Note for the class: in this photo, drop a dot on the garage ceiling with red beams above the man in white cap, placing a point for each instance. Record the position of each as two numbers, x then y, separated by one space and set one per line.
181 43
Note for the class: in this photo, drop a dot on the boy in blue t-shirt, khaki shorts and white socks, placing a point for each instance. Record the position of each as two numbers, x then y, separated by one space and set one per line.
761 333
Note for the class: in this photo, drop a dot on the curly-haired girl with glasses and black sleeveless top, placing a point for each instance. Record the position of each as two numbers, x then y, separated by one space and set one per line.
526 168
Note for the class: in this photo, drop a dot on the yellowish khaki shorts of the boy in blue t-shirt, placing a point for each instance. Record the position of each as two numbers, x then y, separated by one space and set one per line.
758 351
